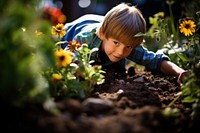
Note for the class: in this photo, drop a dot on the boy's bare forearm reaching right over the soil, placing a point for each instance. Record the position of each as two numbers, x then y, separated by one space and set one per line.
170 68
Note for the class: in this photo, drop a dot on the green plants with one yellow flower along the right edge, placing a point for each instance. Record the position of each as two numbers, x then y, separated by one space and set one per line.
189 58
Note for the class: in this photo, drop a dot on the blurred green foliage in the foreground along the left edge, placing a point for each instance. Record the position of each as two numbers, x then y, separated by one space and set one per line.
22 53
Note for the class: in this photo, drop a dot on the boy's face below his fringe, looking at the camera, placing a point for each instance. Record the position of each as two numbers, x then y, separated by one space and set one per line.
115 50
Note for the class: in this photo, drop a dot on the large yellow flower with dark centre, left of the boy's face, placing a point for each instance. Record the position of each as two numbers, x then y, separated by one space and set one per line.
63 58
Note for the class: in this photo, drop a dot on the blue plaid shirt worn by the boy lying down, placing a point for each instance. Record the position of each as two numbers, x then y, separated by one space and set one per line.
84 29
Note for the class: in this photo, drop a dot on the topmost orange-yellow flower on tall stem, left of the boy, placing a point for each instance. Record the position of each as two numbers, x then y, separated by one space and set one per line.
59 30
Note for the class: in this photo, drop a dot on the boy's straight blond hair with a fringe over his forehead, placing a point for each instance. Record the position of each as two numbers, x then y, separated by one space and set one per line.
122 22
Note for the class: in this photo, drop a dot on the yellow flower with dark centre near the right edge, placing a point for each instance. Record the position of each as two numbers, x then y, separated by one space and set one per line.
187 27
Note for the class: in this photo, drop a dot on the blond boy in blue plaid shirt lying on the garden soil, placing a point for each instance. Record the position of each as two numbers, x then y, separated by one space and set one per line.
114 35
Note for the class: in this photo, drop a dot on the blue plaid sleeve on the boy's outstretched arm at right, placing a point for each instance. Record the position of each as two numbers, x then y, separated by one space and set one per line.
149 59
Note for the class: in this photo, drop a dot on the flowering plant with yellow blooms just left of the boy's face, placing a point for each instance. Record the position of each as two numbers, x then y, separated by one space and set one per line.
73 75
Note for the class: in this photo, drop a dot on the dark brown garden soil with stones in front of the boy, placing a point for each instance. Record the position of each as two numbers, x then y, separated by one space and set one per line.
123 104
